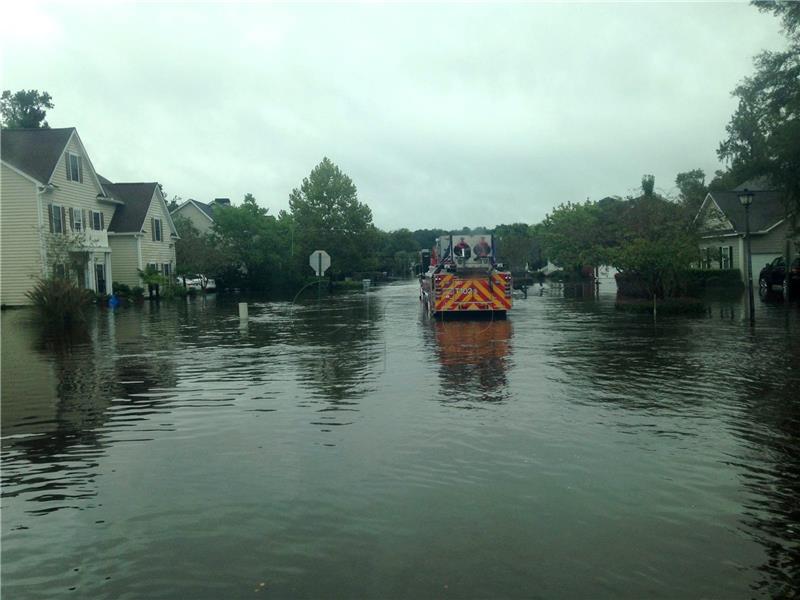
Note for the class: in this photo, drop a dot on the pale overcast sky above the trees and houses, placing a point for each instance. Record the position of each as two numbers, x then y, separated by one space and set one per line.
443 115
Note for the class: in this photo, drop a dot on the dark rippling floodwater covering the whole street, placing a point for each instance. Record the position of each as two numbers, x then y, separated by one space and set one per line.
357 450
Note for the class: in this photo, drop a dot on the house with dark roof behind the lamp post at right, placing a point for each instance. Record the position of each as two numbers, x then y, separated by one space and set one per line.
721 222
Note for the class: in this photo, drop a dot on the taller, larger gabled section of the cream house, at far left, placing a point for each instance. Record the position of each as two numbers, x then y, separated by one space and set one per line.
54 213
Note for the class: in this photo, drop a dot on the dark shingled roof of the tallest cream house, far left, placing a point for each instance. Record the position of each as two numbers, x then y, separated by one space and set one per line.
35 152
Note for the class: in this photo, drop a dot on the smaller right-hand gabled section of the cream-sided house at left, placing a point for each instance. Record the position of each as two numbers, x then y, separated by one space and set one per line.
141 233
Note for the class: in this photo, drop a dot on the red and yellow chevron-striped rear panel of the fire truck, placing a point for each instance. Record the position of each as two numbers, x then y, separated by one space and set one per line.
474 293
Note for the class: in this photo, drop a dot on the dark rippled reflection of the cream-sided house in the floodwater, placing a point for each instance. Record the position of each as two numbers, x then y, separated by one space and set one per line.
61 397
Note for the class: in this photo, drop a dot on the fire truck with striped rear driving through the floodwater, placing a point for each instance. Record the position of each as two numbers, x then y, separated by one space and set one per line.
461 277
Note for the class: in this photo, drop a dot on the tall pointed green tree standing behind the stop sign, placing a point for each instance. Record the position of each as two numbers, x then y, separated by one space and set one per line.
328 216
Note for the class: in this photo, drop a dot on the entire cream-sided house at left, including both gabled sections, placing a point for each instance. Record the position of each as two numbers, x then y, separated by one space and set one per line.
59 217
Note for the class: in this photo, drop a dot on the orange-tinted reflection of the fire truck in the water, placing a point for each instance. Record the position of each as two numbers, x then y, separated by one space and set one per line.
474 358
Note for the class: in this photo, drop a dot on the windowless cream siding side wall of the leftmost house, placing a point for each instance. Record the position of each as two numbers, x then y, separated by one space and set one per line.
20 237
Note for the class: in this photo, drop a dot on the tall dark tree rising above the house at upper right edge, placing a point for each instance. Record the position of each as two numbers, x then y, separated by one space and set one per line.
763 135
